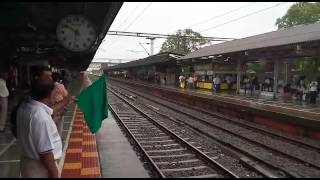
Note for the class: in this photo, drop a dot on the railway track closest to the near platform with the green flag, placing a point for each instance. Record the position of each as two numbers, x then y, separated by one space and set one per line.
169 154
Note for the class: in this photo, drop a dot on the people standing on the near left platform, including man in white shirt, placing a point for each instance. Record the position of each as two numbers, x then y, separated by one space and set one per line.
37 121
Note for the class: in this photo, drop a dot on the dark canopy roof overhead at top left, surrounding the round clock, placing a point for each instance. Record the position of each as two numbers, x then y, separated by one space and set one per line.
28 30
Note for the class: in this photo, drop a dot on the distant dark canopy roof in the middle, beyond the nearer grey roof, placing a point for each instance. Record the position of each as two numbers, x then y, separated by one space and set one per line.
150 60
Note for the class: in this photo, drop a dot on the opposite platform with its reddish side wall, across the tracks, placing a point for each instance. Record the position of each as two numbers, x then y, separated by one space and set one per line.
288 116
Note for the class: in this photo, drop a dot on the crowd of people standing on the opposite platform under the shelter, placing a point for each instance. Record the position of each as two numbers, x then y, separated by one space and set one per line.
300 88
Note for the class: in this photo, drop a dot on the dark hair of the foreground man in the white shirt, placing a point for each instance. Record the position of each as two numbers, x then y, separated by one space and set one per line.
41 90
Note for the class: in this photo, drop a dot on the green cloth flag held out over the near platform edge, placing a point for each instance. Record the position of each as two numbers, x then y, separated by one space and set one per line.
93 103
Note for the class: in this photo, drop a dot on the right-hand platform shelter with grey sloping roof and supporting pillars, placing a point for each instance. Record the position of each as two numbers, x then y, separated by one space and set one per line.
274 54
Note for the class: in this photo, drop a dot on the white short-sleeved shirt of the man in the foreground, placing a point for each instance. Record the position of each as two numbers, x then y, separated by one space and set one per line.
36 131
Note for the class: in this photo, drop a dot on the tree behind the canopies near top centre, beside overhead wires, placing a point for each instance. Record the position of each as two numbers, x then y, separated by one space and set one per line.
180 44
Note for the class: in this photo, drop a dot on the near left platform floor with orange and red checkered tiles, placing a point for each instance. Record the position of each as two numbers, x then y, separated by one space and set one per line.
105 154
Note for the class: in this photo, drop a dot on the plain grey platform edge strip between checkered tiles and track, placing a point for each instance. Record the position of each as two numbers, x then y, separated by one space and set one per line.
117 157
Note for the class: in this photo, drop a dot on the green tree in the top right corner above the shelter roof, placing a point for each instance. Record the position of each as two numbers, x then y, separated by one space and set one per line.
300 13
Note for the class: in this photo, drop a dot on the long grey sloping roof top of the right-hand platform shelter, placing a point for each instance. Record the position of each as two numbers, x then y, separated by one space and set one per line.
290 36
